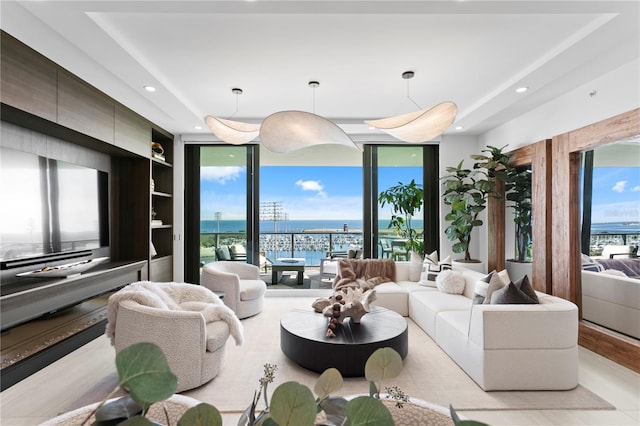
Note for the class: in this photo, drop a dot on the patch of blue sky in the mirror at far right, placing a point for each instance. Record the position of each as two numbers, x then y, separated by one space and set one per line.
616 194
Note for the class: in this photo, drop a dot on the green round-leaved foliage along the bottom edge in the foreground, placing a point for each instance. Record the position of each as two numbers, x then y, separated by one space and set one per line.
143 371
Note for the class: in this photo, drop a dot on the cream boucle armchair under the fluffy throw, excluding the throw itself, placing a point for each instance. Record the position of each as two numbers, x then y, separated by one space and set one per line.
194 349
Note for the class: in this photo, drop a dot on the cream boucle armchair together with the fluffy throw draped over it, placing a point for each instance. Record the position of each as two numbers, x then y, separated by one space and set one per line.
188 322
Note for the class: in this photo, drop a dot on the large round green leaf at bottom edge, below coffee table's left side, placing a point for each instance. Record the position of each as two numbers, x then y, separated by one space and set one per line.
293 404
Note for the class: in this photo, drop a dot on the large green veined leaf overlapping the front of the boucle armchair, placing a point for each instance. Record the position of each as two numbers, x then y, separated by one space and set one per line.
144 371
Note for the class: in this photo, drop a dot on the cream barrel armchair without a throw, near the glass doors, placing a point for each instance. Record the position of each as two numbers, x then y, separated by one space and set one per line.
241 283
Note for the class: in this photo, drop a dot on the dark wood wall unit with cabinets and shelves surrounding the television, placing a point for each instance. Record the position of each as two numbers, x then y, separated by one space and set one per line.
47 110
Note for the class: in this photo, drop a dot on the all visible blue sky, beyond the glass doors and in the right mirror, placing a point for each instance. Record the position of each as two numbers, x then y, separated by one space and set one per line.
335 193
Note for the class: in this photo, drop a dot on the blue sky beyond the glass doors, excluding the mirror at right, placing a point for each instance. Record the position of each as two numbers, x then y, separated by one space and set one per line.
306 193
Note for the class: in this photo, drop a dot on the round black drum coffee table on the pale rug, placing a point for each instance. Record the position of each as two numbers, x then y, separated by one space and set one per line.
303 339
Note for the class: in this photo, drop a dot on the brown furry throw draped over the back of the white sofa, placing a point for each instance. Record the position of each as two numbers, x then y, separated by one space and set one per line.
364 273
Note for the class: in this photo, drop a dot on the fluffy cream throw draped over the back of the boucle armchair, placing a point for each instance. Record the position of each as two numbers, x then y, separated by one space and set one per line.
174 296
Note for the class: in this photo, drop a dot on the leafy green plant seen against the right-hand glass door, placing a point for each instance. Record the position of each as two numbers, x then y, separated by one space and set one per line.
405 200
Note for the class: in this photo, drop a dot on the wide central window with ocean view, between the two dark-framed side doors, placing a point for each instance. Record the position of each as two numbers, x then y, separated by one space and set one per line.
311 202
